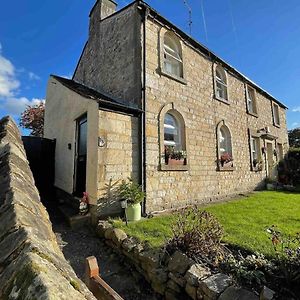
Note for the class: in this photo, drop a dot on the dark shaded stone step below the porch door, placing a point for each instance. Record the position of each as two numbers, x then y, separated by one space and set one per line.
74 219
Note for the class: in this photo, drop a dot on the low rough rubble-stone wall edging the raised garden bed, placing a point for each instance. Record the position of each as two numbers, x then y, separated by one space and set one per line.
175 277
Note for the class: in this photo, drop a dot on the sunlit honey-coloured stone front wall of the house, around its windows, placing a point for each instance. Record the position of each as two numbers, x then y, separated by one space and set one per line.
194 99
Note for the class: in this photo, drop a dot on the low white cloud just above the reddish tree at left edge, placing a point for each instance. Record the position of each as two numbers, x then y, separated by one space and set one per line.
15 106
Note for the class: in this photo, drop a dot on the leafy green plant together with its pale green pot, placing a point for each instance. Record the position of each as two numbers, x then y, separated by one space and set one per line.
130 192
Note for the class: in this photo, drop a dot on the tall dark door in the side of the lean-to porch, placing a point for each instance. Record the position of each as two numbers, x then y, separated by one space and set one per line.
81 156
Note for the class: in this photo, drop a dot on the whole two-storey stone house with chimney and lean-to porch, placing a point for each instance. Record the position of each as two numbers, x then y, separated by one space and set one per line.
148 101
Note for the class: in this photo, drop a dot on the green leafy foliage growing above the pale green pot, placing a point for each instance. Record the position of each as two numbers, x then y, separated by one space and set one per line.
130 191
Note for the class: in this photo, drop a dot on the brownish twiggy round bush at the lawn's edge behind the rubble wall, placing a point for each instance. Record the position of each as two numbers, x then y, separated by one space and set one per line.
198 234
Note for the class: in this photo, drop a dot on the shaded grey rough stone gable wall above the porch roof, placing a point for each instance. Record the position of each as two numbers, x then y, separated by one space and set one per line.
111 60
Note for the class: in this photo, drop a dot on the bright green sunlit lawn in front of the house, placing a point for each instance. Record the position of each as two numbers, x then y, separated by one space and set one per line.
244 220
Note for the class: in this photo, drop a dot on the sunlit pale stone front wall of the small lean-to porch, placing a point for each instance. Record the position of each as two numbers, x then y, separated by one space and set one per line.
118 158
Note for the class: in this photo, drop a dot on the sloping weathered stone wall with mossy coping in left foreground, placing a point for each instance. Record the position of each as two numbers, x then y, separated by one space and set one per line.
31 264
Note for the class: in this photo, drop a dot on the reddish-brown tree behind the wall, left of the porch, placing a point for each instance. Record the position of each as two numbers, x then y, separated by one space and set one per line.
33 118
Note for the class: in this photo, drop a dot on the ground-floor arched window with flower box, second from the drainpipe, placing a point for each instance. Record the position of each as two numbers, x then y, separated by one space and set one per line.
225 157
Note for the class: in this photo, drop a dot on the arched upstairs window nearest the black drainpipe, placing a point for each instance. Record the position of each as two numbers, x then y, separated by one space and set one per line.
172 56
